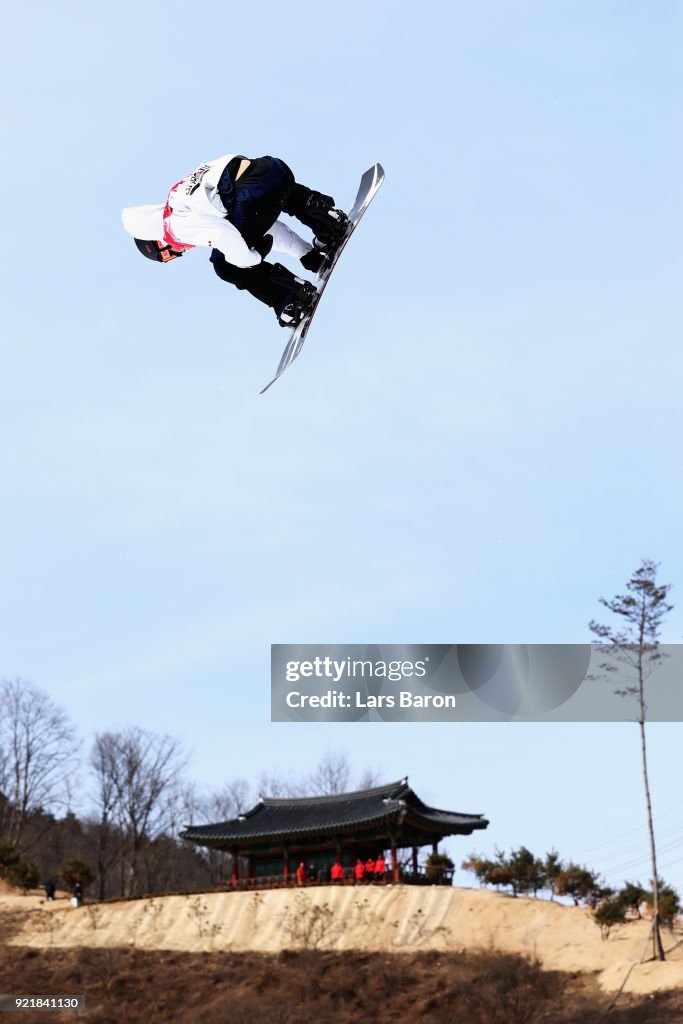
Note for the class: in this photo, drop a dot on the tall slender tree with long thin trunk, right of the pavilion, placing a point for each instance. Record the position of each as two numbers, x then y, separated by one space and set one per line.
636 645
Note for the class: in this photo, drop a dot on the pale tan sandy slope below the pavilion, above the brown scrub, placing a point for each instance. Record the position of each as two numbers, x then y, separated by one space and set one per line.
403 919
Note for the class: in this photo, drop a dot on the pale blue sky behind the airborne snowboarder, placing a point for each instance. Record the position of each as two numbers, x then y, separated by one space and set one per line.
482 436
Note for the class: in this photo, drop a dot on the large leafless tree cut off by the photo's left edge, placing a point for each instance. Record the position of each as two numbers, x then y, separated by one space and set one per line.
38 756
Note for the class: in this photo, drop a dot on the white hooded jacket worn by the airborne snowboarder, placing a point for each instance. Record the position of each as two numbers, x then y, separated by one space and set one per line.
194 216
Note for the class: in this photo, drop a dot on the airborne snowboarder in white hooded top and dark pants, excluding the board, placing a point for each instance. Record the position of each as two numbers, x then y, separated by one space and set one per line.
232 205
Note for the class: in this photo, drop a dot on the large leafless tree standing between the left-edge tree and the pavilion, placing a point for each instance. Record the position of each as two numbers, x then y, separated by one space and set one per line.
138 774
